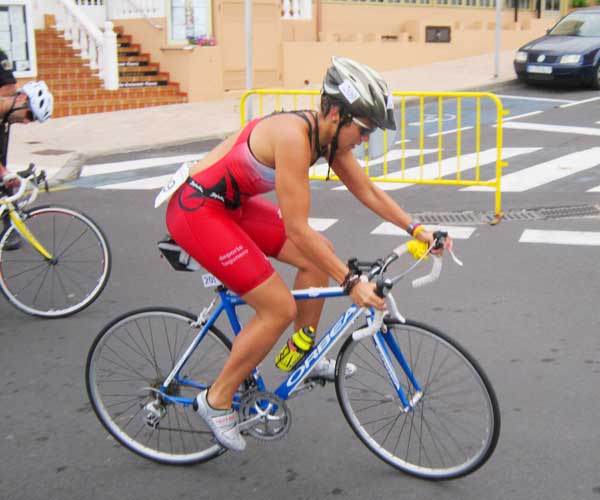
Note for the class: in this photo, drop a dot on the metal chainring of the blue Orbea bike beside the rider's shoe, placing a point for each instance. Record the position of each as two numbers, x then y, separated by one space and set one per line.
274 420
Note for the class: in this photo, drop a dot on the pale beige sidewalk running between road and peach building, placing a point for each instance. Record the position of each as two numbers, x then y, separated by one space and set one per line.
62 146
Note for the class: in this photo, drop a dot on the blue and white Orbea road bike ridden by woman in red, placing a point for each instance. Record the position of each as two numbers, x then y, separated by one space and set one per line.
418 400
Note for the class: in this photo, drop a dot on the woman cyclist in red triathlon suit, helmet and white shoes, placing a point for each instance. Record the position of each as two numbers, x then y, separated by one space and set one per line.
217 217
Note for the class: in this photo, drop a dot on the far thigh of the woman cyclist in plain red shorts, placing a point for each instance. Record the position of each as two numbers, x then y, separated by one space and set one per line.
262 220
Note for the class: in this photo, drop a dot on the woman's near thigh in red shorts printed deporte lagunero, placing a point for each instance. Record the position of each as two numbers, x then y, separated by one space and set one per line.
212 236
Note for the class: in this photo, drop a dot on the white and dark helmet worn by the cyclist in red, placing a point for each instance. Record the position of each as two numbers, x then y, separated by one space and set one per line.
361 90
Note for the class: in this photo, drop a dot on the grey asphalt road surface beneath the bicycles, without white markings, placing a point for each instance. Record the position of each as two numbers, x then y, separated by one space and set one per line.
527 311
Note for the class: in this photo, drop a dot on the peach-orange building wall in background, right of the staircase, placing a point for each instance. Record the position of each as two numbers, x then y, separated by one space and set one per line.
347 30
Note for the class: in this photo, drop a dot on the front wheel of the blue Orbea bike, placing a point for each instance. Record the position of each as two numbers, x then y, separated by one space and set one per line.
451 431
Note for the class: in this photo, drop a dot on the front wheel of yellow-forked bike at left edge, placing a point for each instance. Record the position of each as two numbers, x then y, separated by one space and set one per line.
70 282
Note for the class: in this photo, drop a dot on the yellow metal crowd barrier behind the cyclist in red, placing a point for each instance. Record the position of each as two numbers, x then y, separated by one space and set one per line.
444 171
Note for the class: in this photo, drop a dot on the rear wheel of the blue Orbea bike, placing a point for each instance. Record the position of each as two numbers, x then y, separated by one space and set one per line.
148 342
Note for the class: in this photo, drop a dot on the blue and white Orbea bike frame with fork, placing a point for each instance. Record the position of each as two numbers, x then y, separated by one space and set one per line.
385 343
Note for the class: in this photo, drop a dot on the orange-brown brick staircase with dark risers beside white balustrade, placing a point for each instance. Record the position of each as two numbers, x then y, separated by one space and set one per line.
78 90
